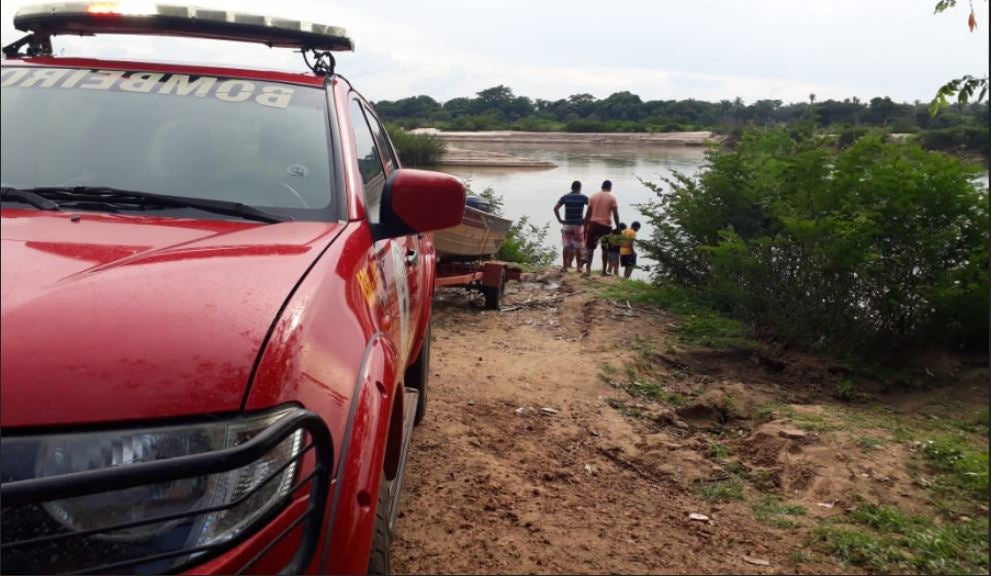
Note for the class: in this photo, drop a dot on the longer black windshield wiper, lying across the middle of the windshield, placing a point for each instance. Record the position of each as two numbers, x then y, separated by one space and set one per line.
118 196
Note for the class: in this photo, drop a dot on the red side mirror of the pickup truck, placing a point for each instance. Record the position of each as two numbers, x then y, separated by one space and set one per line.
415 201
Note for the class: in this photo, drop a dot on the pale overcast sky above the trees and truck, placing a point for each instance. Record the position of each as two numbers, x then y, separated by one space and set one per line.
671 49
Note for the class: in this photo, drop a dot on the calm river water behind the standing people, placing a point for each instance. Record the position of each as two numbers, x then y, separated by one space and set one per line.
534 191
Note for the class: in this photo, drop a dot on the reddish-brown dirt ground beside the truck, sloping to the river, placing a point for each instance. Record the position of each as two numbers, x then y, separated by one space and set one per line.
534 458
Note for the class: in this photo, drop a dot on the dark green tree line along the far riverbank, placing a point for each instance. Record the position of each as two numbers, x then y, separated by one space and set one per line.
962 127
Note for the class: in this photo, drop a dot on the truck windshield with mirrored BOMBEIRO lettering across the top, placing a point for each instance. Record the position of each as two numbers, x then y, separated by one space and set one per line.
262 144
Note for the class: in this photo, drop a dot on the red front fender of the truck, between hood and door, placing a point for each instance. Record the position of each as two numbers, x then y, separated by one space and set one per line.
326 353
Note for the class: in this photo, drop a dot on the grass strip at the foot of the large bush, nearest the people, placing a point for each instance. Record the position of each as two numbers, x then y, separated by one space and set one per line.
700 323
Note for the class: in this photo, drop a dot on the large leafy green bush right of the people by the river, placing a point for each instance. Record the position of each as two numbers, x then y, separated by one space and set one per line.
877 245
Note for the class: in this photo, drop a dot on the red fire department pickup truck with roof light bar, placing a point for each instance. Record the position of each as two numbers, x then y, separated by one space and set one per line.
216 296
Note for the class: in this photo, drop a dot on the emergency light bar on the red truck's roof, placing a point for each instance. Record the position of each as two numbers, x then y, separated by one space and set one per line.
145 18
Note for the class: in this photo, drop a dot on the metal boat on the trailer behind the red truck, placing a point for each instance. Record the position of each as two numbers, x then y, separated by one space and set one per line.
478 236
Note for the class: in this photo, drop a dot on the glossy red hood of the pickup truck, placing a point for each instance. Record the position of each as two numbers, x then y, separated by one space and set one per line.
109 318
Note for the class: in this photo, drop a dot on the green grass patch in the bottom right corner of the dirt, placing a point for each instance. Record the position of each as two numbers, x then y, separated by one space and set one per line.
885 539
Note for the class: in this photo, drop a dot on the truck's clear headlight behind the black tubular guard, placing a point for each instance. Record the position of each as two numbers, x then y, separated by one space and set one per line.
149 519
